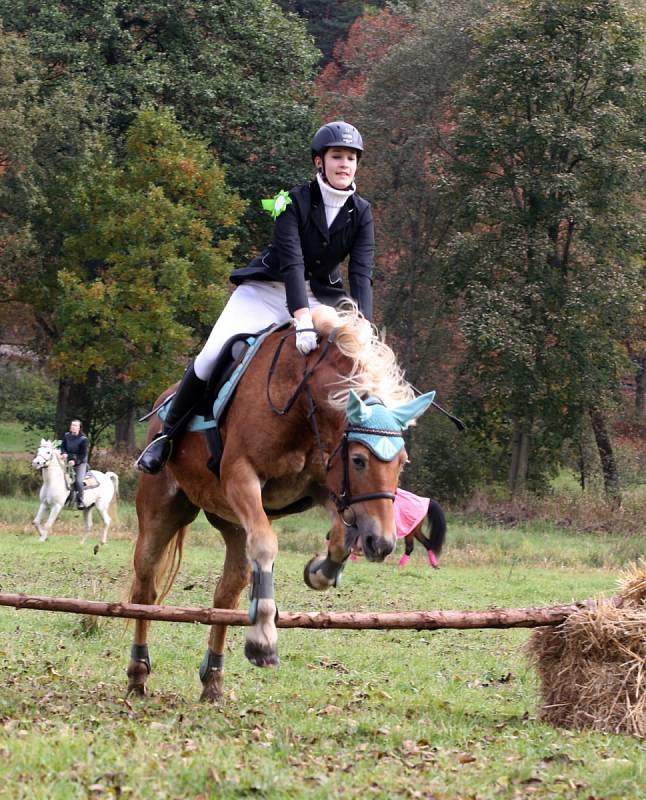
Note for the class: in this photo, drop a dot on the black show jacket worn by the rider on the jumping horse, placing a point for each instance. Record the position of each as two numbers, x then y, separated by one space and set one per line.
303 249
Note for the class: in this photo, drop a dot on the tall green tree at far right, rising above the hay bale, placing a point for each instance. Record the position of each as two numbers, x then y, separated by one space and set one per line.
546 145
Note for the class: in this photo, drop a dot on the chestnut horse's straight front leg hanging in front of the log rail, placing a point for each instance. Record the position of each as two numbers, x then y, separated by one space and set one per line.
243 492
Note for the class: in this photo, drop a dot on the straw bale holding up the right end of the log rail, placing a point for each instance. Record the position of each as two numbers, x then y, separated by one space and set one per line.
592 667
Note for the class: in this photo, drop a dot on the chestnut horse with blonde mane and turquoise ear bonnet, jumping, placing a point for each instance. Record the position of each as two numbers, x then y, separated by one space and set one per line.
296 434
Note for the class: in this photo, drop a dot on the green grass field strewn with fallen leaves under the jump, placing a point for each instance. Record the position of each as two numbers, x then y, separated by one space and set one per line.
439 715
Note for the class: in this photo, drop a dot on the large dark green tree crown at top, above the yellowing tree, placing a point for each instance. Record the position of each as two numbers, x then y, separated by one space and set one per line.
237 72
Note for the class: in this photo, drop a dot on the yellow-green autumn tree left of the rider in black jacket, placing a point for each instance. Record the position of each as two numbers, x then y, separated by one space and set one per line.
146 260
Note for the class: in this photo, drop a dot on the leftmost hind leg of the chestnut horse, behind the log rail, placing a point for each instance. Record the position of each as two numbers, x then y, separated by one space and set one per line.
164 512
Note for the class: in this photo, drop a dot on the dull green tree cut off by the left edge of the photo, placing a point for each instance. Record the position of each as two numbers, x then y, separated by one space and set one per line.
45 137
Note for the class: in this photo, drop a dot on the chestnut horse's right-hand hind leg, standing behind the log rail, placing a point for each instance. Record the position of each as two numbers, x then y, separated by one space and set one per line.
235 576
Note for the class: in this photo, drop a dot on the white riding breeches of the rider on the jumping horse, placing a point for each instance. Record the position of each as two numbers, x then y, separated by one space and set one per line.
254 305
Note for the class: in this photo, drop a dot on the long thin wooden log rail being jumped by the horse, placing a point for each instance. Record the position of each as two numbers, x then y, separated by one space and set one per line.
345 620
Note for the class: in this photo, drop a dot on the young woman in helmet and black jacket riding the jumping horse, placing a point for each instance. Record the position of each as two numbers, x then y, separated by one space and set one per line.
320 224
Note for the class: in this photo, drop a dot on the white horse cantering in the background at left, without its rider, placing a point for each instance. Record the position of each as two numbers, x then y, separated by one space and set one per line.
55 491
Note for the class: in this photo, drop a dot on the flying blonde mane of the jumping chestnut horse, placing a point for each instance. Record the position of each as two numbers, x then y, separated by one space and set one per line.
375 369
